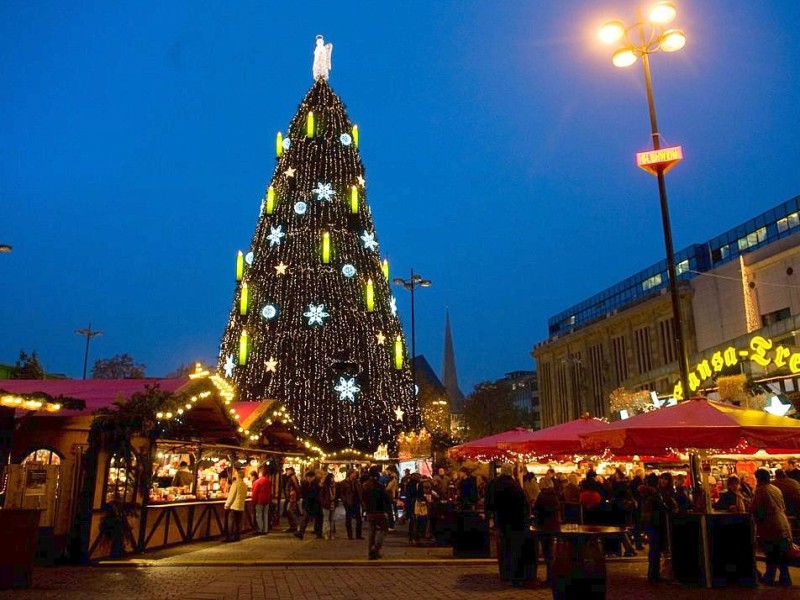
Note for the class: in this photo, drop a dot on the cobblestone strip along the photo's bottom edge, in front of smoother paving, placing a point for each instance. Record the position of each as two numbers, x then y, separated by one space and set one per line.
447 582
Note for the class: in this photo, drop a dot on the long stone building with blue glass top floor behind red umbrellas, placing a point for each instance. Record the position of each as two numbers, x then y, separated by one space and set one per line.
735 290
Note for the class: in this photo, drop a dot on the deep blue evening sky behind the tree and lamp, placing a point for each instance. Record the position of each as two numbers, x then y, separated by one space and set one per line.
136 140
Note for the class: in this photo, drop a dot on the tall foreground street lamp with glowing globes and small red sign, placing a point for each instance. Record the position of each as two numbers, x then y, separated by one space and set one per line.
640 40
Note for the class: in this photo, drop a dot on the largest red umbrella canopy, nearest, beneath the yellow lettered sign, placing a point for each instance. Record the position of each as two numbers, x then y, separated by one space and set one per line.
697 424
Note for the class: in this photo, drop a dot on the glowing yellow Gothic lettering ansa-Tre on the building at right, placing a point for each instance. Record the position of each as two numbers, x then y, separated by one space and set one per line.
762 351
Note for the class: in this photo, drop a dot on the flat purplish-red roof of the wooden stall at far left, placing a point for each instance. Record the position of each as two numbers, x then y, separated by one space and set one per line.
96 393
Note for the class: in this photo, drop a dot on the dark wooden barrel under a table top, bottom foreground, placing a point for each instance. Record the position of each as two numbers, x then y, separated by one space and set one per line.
579 568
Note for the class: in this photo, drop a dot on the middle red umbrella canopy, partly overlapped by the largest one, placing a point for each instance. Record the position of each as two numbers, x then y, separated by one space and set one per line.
563 439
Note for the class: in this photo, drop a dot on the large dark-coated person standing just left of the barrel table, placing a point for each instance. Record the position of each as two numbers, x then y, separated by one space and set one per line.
507 505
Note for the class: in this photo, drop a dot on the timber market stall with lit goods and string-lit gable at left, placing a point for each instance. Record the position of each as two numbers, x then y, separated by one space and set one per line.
146 463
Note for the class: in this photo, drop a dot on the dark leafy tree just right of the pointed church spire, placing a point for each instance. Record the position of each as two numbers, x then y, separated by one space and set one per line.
490 409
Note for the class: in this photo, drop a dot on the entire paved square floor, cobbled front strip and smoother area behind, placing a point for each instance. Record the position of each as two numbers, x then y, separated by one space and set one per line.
281 567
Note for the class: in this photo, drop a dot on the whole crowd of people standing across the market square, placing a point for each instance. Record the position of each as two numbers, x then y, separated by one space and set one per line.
639 501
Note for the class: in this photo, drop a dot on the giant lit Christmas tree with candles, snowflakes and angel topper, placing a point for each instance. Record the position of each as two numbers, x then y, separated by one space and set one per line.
313 324
